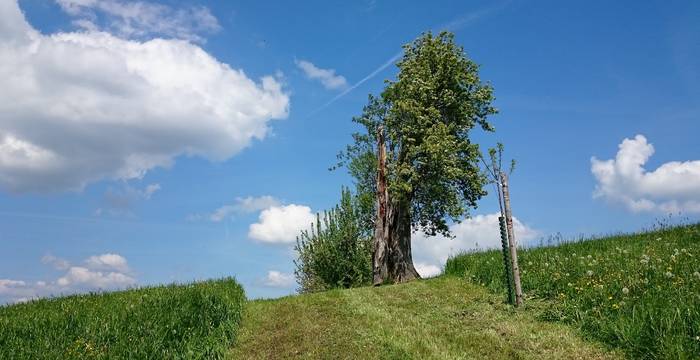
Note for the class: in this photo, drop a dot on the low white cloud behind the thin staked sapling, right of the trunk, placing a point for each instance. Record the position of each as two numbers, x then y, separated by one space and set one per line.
480 232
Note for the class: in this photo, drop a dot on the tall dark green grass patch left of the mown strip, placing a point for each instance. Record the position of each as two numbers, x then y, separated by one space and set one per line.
193 321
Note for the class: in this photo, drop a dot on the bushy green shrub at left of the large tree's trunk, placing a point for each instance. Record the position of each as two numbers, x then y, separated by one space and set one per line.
337 252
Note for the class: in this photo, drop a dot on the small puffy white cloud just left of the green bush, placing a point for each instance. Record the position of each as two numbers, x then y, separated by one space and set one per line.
281 224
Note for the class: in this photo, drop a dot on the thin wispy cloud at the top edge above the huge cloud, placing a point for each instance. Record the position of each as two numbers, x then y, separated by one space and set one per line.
138 19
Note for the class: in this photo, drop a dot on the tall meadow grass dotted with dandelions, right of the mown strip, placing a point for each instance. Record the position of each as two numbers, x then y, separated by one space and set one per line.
639 292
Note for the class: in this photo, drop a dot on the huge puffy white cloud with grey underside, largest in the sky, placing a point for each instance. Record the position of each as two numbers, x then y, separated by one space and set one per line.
80 107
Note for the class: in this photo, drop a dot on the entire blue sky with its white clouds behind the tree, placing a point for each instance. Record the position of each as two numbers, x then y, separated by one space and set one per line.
127 161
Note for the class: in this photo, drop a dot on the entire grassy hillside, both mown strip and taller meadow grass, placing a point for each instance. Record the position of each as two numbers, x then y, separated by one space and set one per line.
634 295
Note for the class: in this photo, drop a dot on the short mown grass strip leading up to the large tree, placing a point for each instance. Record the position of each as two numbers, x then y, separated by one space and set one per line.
442 318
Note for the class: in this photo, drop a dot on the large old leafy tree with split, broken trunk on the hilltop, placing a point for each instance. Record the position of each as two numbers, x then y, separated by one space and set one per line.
414 164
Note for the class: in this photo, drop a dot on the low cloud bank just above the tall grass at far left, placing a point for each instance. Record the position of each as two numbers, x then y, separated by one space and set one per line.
99 272
